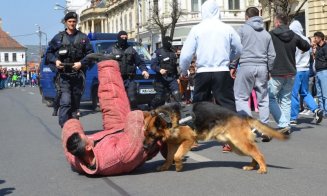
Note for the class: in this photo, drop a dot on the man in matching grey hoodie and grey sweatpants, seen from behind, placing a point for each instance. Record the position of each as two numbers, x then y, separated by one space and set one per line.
255 63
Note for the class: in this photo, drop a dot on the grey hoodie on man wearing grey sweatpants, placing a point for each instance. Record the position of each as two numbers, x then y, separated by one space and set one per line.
258 48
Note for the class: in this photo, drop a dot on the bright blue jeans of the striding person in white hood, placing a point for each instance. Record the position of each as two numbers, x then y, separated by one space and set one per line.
301 85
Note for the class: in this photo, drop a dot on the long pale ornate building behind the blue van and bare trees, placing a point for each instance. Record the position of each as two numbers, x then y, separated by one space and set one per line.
135 17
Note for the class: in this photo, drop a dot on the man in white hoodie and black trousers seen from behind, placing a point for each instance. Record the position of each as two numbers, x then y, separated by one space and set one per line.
215 45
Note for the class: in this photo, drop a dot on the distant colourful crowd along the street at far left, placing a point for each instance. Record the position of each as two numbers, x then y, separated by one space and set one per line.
17 78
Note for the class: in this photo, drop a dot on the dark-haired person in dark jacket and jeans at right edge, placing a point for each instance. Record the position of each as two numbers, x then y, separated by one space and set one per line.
321 69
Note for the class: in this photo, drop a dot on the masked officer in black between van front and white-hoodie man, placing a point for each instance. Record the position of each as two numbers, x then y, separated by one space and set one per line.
164 62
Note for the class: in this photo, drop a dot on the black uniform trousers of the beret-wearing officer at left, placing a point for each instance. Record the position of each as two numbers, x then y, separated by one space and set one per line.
71 86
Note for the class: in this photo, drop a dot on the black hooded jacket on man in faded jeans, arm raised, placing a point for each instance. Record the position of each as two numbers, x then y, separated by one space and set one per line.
285 43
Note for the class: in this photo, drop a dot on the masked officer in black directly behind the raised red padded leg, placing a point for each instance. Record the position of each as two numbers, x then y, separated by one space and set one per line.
128 59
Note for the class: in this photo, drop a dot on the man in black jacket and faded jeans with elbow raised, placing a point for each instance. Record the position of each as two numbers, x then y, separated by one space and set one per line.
283 72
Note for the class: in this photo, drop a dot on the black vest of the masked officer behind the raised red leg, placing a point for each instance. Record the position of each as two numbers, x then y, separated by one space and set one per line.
125 58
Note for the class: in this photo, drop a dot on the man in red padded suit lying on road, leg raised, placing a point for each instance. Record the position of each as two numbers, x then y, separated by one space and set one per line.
118 149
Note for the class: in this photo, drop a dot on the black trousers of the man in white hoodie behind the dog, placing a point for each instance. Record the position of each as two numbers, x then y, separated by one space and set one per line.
217 85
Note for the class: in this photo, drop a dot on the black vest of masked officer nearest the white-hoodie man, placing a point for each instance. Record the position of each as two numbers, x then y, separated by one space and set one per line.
167 60
